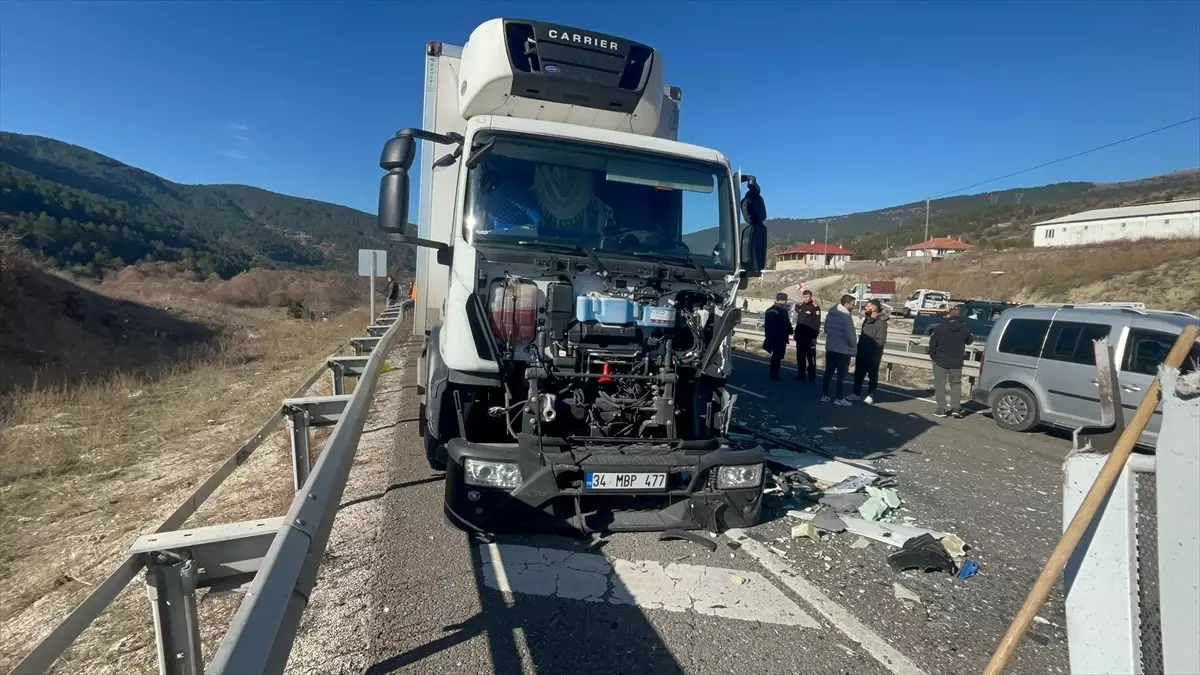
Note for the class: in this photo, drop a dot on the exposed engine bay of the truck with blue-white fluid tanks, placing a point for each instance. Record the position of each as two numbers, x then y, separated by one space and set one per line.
604 359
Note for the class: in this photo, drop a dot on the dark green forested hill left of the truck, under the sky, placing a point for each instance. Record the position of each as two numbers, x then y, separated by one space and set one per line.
82 210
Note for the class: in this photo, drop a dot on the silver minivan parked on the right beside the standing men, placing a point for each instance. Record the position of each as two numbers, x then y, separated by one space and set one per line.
1040 363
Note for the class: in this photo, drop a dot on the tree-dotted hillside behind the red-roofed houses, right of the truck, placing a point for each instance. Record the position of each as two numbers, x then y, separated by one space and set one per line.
998 219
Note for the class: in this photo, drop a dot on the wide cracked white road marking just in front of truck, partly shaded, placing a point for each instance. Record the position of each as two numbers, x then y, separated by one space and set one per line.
645 584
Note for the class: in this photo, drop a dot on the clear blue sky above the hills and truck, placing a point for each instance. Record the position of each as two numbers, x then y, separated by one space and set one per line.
837 107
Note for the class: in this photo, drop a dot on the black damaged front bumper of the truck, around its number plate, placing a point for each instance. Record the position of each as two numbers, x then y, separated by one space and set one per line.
559 491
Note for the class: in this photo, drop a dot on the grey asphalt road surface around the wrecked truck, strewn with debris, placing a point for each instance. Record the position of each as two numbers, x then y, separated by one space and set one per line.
404 592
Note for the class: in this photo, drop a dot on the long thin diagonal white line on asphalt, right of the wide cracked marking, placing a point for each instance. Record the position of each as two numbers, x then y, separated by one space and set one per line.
889 656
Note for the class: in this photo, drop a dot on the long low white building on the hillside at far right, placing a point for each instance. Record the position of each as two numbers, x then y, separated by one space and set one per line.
1162 220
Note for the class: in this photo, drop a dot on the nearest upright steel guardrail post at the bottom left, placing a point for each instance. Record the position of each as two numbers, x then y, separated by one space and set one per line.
171 586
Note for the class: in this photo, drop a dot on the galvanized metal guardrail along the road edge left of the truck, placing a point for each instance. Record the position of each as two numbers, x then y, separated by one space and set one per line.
274 560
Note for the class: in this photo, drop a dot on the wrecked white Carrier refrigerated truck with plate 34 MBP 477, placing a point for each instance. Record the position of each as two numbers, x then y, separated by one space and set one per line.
578 350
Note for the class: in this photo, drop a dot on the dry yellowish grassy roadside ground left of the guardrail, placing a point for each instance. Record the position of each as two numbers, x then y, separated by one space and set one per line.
85 470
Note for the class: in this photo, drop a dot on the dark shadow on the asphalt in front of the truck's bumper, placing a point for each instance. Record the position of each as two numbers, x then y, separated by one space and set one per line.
561 618
